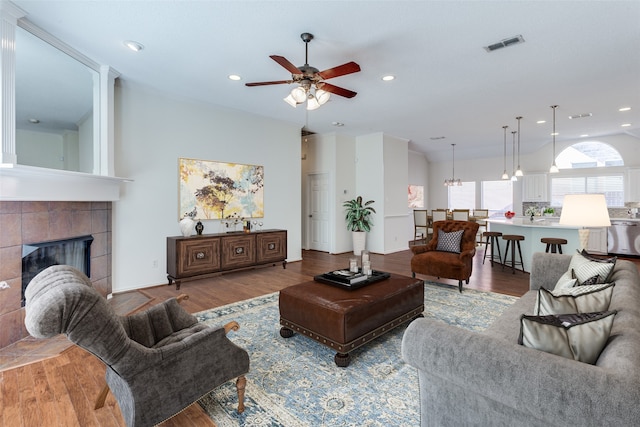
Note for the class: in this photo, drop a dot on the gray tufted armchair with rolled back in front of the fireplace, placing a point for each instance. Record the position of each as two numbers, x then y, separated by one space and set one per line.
158 362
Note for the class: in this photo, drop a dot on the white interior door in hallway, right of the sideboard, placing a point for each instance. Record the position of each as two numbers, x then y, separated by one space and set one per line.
318 212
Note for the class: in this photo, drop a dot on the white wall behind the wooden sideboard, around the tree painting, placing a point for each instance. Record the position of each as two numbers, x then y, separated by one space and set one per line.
152 132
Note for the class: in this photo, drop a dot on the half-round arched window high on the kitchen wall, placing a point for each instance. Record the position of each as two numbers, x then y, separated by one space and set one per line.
589 154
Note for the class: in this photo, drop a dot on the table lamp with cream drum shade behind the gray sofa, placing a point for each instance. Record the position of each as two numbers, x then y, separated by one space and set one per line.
584 210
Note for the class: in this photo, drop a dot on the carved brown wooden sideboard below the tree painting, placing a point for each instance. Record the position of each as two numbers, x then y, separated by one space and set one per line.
196 257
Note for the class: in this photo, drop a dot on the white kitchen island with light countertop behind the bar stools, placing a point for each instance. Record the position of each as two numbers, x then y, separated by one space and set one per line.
533 231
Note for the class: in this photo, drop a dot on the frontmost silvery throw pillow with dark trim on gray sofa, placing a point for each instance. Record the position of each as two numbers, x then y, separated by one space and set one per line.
578 336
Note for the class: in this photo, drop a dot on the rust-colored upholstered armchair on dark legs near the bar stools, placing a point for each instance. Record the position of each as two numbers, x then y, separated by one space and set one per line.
431 260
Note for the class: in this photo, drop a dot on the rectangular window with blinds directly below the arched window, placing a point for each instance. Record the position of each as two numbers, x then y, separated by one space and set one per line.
612 186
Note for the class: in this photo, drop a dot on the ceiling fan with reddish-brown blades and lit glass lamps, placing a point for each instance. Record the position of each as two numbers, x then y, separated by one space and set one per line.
309 77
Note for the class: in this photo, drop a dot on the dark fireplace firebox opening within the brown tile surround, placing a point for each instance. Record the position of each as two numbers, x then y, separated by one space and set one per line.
36 257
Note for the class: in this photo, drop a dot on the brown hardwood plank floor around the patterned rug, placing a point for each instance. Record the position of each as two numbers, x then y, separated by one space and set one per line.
60 390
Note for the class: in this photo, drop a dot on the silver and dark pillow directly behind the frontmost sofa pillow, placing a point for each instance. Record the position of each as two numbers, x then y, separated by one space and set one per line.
582 299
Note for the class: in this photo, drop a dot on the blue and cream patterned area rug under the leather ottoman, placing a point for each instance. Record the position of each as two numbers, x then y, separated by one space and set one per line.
295 382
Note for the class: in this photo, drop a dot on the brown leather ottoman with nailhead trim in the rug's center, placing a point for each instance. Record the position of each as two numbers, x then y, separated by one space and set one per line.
344 319
